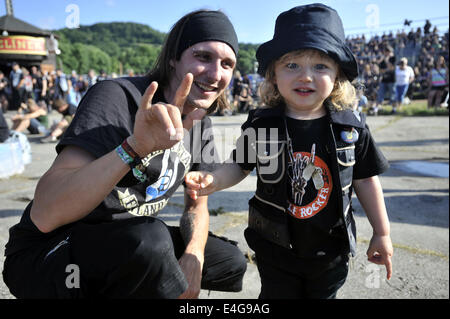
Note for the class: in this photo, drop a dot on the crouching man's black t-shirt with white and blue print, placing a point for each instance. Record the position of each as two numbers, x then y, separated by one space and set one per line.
104 119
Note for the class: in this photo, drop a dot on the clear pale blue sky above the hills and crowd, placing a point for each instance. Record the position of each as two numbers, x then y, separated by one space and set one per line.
254 20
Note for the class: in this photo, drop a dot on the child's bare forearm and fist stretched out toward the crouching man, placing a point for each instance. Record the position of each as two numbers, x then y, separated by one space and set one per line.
200 183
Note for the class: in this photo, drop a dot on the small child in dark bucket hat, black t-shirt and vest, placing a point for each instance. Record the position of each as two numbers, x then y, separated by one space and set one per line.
310 149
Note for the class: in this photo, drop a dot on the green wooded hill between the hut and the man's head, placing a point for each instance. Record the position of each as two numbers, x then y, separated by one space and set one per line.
112 47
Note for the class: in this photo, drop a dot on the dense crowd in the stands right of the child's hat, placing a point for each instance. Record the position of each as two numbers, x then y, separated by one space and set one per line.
426 53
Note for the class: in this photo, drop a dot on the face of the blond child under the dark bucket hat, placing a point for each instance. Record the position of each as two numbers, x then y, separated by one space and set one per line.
305 79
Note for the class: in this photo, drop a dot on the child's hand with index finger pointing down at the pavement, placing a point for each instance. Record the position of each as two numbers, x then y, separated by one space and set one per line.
380 252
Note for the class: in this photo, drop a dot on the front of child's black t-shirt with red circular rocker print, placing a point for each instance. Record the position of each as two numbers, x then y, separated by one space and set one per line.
315 225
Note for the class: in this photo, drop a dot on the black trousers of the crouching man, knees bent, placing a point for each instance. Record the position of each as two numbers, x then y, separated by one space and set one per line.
130 258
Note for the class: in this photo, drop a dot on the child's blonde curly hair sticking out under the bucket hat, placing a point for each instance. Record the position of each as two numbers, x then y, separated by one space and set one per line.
342 97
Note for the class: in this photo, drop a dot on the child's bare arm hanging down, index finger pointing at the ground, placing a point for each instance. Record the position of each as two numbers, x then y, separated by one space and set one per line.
370 195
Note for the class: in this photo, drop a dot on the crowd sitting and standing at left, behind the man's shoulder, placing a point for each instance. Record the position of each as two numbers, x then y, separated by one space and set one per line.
33 94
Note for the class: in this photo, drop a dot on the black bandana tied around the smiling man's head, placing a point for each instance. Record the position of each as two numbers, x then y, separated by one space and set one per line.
207 26
